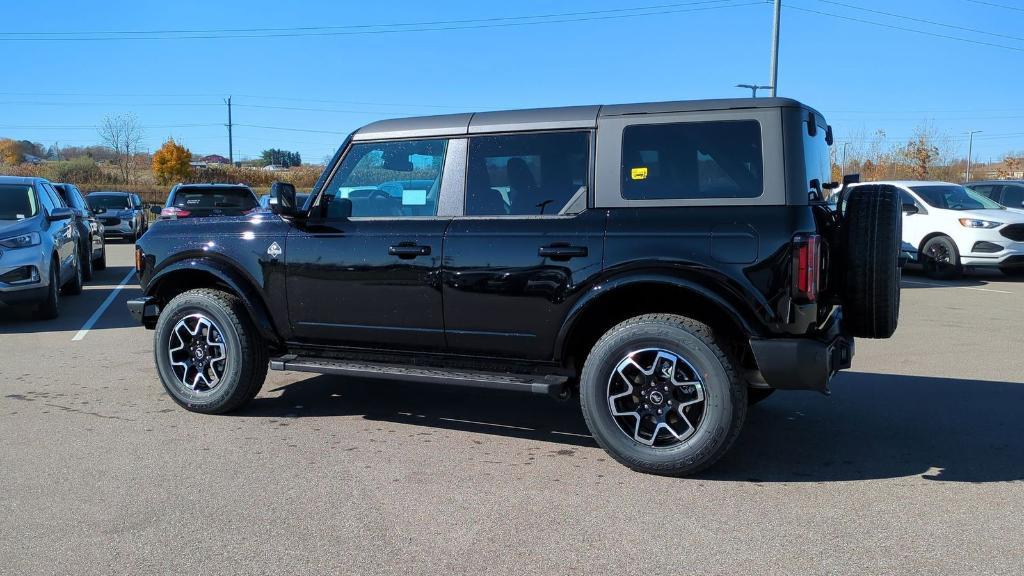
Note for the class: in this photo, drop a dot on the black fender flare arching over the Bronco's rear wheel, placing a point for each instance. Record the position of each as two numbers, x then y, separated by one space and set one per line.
603 289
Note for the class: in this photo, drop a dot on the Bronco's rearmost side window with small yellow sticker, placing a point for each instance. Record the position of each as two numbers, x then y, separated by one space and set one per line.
693 160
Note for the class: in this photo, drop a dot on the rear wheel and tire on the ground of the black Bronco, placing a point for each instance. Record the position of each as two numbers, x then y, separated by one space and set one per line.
661 396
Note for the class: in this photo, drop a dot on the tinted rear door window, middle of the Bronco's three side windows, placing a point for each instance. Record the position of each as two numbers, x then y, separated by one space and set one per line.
526 175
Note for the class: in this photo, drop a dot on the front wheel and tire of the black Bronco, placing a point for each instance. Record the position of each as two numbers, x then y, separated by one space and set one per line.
209 355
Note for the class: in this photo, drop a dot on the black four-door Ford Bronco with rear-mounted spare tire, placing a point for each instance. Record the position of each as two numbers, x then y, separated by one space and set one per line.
670 263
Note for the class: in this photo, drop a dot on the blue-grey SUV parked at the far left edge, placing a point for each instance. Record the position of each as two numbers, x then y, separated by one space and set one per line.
39 246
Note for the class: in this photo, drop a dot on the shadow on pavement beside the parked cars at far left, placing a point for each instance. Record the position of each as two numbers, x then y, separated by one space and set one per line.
76 310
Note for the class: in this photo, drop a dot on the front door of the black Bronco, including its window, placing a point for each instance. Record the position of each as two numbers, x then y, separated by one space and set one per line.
364 270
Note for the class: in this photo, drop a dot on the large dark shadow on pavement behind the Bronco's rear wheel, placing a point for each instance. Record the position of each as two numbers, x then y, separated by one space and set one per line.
884 426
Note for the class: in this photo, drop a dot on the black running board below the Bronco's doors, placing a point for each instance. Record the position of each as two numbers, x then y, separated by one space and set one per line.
548 385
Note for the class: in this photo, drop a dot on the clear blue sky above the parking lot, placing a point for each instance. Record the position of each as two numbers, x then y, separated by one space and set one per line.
864 77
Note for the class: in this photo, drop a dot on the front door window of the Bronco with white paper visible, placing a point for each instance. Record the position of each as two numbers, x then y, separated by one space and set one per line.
398 179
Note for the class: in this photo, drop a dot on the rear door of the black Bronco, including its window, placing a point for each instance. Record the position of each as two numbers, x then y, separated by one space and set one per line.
527 245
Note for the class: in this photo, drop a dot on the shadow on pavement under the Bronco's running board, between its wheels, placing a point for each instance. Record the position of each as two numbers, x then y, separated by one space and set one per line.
457 408
